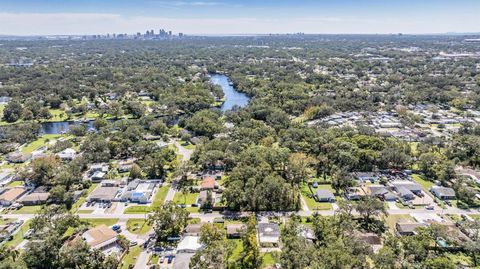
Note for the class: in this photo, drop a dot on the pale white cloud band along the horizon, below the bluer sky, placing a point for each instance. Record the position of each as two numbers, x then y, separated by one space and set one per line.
100 23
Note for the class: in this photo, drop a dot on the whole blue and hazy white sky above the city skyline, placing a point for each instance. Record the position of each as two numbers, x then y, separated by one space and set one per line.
223 17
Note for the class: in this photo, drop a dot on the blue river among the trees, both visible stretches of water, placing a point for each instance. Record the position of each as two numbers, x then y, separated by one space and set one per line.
232 98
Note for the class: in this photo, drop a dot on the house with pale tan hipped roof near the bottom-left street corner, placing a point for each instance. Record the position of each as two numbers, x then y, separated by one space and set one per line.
101 238
